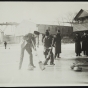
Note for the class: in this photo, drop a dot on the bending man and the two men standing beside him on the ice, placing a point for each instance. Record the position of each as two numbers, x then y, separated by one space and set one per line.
49 42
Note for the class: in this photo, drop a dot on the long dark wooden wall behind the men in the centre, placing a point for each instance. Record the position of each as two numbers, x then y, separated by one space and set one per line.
65 30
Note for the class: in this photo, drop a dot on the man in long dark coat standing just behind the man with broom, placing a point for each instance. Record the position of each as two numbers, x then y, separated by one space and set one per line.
57 43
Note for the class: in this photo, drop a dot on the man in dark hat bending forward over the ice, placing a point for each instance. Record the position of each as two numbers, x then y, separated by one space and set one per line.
27 44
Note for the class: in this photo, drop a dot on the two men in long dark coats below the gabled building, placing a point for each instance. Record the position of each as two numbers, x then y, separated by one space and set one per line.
81 44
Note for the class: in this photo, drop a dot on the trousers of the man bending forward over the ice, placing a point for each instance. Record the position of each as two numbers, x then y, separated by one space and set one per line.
29 50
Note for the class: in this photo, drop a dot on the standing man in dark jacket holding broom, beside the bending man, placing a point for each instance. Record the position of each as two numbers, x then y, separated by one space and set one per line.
48 49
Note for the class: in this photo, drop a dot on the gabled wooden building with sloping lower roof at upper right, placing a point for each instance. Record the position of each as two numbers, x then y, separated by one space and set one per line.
81 22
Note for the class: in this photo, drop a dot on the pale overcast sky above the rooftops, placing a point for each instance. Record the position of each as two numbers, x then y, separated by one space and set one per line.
38 11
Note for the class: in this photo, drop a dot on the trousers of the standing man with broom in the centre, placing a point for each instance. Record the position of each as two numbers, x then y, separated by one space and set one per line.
49 56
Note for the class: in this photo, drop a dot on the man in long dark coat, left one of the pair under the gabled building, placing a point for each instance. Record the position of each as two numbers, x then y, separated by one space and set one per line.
77 40
